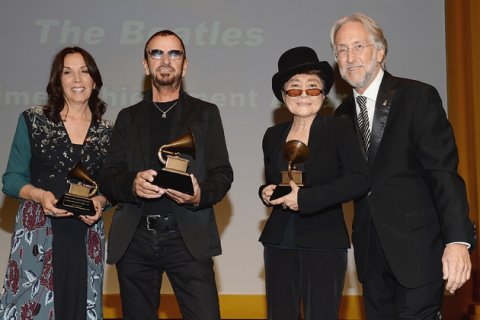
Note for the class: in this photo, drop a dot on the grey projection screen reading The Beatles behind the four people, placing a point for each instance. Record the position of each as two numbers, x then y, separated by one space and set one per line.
233 47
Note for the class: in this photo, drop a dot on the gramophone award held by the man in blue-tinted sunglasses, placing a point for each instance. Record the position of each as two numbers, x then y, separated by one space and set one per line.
174 175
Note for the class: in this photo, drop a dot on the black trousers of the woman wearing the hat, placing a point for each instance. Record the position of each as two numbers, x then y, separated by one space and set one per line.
313 277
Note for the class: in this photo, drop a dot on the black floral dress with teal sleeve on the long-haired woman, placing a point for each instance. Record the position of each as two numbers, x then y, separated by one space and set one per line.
55 267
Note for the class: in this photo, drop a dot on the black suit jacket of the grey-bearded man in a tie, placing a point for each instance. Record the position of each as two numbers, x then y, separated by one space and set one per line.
417 200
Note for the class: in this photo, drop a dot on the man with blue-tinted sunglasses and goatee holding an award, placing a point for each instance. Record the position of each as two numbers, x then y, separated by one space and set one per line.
157 228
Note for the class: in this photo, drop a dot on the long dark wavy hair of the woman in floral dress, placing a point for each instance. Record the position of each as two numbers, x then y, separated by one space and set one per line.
56 100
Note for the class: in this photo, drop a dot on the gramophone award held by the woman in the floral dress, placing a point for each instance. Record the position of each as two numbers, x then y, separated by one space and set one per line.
78 199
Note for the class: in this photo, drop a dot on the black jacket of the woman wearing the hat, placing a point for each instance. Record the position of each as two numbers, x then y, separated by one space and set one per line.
335 172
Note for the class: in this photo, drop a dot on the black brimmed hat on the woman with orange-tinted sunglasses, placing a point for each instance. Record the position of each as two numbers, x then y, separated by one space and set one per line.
299 60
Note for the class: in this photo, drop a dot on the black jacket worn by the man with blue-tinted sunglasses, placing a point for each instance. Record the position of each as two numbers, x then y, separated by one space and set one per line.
129 153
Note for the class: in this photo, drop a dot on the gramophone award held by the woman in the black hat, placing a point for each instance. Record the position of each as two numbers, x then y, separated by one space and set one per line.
295 152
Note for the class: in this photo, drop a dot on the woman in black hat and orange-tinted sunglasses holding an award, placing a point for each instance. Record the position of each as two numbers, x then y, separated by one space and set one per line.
305 239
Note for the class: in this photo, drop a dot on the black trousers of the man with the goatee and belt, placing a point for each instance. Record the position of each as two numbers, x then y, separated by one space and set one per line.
149 255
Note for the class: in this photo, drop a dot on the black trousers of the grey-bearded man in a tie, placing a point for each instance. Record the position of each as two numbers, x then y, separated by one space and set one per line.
386 299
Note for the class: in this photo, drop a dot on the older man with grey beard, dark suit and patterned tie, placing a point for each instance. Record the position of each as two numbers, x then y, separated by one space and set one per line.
412 231
